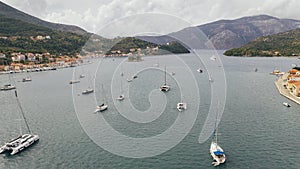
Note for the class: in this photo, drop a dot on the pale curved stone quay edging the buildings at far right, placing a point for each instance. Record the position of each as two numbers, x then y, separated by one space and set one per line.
285 92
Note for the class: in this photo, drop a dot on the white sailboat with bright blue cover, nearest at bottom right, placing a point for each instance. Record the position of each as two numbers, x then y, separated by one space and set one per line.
216 151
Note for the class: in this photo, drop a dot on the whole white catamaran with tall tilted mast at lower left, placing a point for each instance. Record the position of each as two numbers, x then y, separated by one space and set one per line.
23 141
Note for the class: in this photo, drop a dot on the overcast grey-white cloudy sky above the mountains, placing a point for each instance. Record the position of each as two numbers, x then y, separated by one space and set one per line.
92 14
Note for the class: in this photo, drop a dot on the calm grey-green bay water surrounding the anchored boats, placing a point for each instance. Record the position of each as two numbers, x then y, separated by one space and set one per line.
256 130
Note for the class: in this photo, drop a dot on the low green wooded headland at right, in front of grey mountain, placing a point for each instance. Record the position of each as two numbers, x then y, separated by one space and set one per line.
281 44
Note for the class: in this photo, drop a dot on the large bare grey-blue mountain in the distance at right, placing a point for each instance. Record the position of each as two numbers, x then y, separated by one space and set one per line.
226 34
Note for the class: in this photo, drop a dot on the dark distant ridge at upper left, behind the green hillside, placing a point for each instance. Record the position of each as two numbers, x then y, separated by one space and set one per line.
13 13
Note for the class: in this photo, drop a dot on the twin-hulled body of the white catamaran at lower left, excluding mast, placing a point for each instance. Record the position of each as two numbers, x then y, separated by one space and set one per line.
19 144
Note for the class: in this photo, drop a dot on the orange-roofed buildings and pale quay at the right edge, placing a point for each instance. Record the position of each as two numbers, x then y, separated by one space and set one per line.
288 84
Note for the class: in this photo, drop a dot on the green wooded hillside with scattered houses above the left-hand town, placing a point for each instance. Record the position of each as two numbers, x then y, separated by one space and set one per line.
19 36
